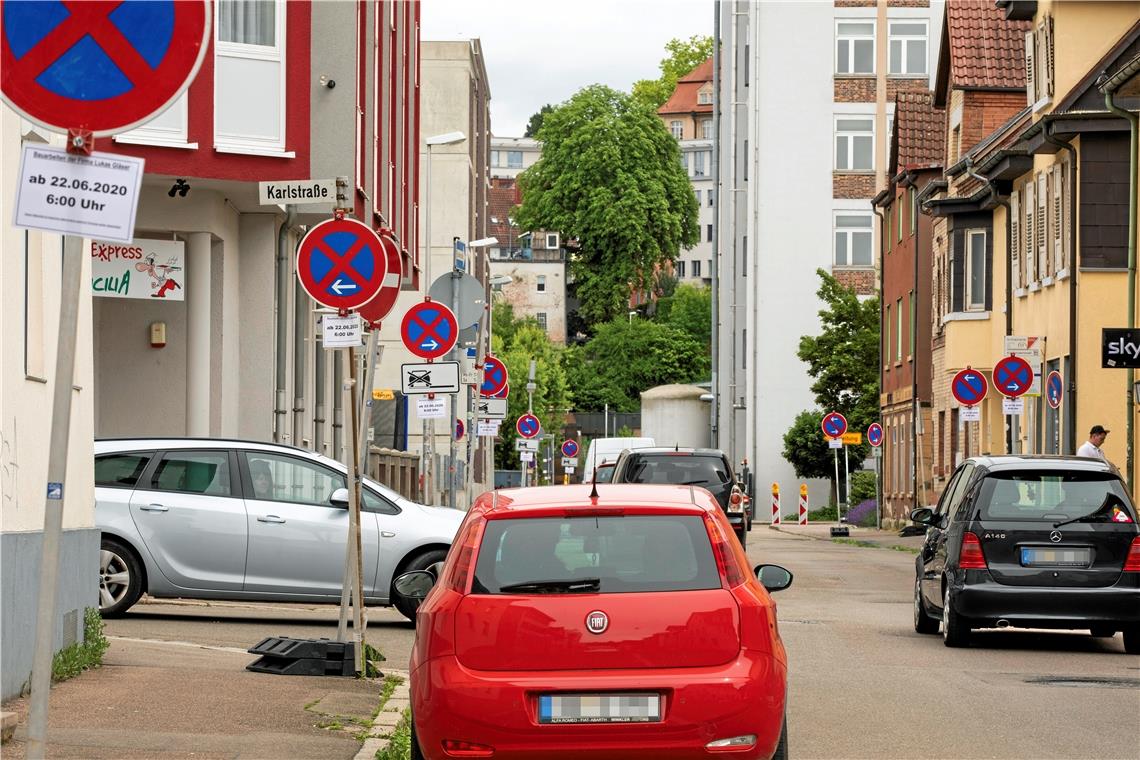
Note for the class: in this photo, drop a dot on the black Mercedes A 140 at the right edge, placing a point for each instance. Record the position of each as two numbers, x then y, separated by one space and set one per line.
1030 543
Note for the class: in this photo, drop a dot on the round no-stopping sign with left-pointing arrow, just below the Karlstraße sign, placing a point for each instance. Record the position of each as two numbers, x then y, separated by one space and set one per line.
341 265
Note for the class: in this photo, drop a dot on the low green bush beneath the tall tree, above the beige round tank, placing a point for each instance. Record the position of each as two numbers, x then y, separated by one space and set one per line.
625 358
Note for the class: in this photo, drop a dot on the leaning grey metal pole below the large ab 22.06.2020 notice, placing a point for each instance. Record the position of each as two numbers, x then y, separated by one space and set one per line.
72 276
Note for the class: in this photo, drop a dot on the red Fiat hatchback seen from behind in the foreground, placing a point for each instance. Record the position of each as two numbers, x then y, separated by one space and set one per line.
624 625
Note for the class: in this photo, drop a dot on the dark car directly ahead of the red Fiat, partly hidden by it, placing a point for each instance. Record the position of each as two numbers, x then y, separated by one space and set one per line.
709 469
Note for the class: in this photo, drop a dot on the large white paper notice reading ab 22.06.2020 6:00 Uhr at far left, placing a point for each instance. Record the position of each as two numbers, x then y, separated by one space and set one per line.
93 197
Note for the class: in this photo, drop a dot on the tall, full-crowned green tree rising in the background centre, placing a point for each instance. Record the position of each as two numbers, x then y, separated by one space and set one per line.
610 178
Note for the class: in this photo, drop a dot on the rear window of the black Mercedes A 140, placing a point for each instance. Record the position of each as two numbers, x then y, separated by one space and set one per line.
1049 495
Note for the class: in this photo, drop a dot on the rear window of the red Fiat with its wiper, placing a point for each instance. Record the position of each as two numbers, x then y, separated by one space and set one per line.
640 553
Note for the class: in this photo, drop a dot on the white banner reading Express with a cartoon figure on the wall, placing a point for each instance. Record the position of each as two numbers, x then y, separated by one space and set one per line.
140 269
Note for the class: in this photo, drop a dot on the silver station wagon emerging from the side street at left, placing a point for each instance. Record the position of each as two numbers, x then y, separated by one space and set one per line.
237 520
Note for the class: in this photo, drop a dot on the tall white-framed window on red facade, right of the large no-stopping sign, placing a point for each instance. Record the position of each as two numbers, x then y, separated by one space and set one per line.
250 77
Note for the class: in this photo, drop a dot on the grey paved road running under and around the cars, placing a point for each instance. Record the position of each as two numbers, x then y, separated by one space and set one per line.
864 684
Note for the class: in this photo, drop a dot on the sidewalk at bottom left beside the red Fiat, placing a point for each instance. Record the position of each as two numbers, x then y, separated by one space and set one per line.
180 701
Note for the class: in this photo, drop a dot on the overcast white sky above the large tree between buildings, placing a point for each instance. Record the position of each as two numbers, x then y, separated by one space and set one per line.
541 52
